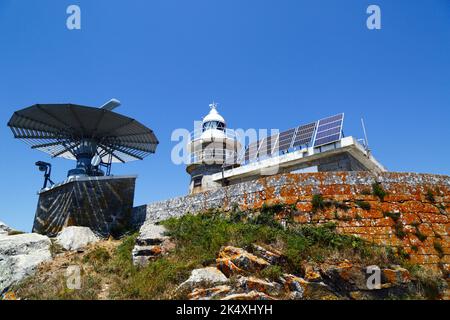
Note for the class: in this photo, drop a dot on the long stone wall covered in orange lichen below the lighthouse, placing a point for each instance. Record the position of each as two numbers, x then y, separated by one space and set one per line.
407 217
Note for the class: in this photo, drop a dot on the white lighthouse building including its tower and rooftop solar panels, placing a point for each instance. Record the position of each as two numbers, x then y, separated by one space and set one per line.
218 158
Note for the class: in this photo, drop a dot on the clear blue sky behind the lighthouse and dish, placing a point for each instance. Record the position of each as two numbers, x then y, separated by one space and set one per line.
270 64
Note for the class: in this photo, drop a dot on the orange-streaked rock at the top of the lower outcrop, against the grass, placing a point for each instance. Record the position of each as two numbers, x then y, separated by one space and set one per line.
233 260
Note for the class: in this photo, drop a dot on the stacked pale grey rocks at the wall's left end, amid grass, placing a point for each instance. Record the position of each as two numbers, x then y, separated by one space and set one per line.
151 243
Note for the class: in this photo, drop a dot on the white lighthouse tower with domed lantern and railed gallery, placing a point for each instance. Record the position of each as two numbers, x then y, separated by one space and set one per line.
212 148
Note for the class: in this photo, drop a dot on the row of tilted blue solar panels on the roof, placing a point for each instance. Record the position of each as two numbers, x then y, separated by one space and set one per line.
315 134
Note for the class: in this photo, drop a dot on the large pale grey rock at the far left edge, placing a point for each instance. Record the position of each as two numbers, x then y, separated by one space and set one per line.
20 255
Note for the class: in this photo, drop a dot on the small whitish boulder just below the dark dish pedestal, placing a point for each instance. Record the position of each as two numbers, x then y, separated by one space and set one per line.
76 238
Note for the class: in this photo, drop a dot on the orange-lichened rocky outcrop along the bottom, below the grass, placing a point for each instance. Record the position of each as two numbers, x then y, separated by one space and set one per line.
332 280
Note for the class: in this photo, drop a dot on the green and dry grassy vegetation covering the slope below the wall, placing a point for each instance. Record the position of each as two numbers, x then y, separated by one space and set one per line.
198 239
